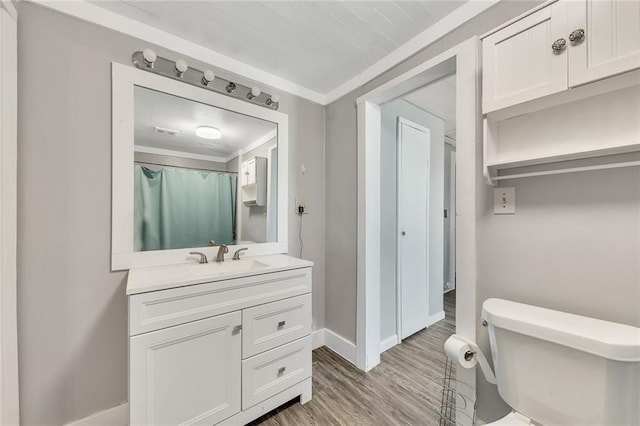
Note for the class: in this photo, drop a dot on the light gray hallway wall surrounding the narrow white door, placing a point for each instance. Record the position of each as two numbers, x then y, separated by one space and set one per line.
388 214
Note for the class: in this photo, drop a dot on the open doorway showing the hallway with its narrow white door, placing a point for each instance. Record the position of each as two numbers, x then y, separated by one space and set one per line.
417 220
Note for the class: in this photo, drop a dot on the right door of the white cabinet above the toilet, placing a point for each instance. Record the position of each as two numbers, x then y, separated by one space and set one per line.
611 41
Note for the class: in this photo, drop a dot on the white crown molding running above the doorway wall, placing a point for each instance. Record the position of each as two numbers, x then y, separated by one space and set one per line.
455 19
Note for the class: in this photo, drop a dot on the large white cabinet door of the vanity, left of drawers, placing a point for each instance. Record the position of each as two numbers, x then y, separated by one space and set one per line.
188 374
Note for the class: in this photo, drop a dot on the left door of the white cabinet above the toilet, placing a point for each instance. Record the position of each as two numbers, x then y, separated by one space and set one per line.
519 62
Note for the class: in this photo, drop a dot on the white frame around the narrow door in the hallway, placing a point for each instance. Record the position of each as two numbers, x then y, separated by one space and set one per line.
400 121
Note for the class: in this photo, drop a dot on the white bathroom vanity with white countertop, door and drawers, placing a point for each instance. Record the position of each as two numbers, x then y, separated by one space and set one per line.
219 349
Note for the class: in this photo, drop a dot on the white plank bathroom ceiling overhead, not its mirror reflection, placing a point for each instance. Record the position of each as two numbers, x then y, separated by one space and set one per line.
316 44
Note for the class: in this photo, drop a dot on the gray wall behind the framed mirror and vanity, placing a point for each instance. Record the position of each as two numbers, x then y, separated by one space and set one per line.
72 312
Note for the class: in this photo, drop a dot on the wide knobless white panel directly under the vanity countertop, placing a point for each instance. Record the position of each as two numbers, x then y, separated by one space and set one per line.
165 308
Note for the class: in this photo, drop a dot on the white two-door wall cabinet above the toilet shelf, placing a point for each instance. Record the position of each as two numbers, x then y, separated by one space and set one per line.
559 46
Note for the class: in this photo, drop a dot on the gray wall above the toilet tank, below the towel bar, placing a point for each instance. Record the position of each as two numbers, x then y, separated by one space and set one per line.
573 245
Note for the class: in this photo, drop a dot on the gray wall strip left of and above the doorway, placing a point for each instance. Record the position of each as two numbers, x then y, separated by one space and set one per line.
341 185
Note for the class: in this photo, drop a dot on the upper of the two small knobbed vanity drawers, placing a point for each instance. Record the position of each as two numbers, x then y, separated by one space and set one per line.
266 326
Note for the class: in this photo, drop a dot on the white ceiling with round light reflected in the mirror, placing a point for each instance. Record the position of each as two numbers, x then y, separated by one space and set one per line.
155 109
